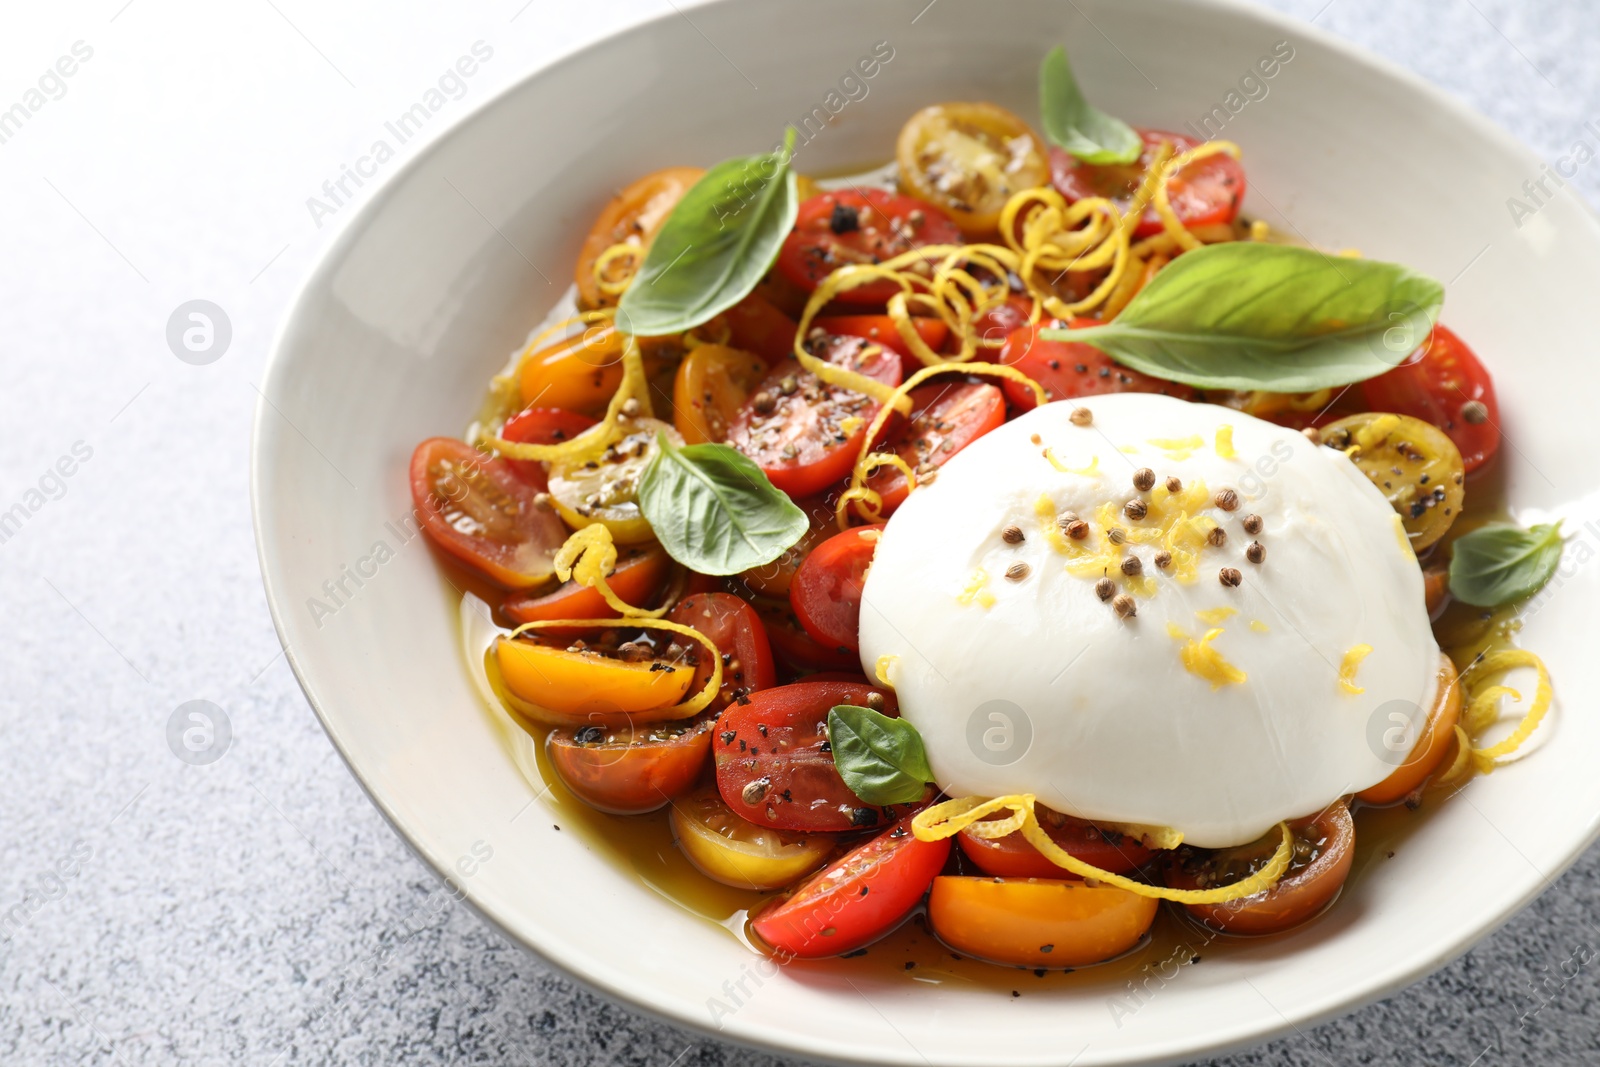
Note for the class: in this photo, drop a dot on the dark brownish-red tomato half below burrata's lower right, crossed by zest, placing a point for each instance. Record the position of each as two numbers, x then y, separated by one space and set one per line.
1324 849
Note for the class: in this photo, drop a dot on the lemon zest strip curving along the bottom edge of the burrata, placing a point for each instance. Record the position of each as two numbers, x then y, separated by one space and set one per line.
969 813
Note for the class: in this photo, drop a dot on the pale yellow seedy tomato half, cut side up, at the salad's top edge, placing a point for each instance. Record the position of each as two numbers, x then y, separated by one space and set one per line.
970 159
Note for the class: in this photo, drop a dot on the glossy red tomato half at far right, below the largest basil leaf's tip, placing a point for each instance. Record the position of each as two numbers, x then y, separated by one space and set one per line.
1446 385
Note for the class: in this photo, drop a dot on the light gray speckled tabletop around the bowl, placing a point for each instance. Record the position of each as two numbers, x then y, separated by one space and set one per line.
258 909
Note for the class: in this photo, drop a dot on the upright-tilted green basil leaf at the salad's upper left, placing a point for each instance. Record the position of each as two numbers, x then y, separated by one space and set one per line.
716 247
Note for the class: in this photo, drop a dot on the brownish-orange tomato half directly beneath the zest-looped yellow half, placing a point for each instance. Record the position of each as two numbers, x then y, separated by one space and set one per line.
631 770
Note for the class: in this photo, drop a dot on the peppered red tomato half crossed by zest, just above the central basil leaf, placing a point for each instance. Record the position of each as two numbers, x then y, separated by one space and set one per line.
794 425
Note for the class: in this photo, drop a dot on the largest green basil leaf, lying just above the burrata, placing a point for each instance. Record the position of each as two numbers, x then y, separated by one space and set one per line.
1250 316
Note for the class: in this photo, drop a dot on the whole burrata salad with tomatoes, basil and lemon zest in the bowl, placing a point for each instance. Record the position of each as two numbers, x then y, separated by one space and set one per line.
1014 543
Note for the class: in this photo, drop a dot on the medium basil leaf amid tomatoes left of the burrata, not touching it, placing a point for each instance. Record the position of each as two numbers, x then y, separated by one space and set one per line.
714 511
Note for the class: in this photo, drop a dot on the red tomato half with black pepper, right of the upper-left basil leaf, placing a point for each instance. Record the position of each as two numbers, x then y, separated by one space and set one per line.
838 230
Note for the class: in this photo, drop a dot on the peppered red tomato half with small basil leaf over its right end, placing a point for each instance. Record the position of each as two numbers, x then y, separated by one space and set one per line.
774 764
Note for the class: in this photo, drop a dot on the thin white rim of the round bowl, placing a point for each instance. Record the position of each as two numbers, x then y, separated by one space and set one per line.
1310 1013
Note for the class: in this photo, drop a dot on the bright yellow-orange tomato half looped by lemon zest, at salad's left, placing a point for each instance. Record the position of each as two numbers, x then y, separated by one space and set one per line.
590 684
